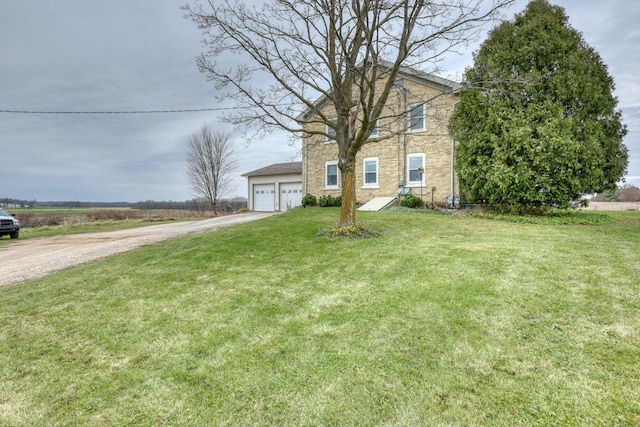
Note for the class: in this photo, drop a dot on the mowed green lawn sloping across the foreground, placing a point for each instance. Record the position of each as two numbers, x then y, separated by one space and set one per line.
442 320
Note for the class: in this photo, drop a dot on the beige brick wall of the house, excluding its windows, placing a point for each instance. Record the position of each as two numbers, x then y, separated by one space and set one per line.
435 142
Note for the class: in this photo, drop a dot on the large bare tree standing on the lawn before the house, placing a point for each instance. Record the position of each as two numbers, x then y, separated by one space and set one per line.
332 63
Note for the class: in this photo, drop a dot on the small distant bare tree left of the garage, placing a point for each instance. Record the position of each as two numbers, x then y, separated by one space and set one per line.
210 164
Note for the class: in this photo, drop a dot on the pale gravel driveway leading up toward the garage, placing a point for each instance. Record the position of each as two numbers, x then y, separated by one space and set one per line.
37 257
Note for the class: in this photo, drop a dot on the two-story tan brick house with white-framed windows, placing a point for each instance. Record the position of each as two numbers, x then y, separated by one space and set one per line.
416 158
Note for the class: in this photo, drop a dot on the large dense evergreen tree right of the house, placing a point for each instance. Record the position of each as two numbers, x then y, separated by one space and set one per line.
537 125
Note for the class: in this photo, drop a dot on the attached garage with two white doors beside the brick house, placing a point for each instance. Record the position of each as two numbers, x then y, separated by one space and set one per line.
276 187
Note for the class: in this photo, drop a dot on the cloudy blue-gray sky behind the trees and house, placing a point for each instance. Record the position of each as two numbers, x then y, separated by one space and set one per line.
123 55
